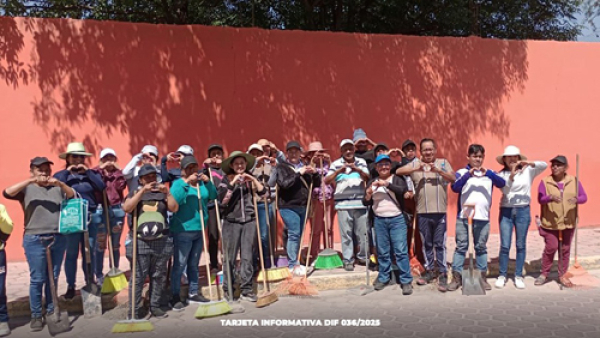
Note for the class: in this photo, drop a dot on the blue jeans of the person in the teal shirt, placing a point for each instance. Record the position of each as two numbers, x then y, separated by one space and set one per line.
116 218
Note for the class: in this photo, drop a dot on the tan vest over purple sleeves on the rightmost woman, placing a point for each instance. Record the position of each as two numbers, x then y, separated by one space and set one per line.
560 215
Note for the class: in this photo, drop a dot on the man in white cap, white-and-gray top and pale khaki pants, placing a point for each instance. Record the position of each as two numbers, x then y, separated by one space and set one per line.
350 174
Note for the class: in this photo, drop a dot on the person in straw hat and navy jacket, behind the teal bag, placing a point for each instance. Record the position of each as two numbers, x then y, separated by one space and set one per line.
88 184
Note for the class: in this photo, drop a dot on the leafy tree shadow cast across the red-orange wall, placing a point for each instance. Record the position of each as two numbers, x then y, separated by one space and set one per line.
171 85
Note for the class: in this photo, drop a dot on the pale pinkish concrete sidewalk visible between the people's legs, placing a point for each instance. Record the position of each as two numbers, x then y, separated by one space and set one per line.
588 252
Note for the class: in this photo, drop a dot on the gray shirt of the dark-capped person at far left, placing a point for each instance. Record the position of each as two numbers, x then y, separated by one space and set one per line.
41 206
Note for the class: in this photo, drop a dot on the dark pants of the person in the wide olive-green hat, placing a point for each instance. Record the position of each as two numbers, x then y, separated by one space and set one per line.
238 237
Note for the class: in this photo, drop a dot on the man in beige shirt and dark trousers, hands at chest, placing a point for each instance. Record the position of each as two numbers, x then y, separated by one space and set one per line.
431 177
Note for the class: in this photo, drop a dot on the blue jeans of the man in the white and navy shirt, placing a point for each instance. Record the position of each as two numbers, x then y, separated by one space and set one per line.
481 232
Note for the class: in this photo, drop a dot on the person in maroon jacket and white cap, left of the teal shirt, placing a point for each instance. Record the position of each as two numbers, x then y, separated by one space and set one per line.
115 185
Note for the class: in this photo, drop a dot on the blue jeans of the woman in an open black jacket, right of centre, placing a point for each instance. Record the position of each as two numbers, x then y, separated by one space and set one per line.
392 230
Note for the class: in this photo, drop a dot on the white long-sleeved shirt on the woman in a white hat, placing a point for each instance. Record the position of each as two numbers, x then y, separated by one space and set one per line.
517 193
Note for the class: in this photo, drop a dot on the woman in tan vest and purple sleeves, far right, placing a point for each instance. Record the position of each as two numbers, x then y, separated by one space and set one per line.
558 194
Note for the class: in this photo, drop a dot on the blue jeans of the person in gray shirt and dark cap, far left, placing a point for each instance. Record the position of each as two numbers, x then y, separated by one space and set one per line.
35 252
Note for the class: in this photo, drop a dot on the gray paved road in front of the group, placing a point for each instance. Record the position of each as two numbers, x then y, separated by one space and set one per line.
535 312
